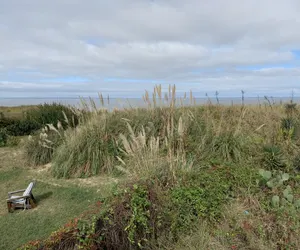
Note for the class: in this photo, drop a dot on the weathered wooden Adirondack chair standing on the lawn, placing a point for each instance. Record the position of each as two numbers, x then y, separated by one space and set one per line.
26 200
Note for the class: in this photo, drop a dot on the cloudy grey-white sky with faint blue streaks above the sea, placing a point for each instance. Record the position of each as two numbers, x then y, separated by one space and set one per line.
70 48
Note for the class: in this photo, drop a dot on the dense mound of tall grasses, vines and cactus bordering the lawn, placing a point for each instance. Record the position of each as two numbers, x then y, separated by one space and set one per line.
219 177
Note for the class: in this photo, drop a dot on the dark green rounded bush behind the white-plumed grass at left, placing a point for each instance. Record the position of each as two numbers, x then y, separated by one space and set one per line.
51 114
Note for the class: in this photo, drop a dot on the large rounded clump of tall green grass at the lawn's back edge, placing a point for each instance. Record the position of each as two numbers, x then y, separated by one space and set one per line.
88 150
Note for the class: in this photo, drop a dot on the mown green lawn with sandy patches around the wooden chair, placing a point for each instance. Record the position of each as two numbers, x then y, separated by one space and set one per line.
58 200
